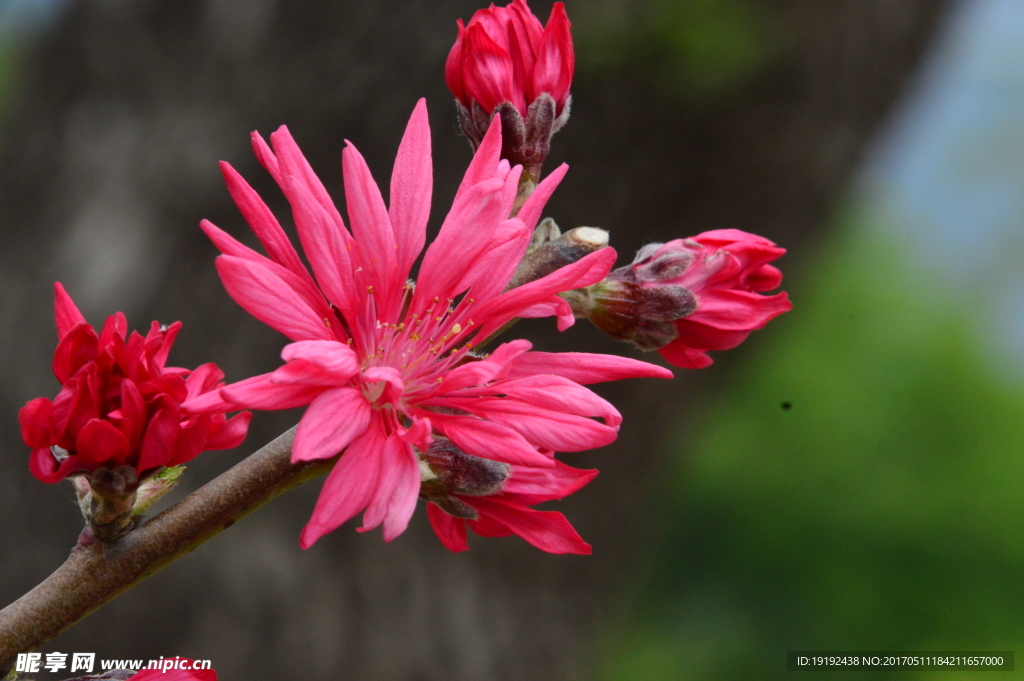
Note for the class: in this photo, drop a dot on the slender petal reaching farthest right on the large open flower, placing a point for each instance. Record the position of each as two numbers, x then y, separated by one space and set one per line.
584 368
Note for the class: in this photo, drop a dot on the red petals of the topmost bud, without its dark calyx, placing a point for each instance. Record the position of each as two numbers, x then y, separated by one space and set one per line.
505 56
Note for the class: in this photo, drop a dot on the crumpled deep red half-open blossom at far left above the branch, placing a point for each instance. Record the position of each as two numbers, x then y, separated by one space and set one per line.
119 405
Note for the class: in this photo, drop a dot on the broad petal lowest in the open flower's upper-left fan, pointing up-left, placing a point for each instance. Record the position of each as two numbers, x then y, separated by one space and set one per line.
269 300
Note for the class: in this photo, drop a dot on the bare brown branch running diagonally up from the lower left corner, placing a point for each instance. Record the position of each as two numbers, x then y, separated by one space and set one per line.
97 572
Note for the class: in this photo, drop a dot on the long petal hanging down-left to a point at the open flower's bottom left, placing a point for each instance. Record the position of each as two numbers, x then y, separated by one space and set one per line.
350 487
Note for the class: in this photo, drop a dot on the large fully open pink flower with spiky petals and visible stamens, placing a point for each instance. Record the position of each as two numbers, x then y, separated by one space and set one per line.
385 365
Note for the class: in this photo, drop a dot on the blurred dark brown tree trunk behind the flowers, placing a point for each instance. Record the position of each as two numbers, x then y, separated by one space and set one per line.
109 162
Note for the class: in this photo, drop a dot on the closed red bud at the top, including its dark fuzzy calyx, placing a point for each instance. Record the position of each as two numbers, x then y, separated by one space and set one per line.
505 63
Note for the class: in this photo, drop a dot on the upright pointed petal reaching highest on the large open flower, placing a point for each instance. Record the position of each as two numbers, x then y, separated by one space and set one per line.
412 186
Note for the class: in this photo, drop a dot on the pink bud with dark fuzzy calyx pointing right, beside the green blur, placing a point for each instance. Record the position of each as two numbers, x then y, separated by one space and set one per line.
690 296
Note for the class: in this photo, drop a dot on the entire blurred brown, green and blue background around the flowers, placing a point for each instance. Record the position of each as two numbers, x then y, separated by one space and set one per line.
850 479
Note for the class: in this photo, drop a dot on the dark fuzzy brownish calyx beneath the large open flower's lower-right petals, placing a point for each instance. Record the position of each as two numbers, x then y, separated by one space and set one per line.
448 471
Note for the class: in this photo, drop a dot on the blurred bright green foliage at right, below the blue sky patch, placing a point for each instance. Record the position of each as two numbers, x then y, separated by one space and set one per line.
883 510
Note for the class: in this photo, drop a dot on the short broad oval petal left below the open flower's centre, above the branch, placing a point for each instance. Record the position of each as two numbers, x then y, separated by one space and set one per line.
333 420
